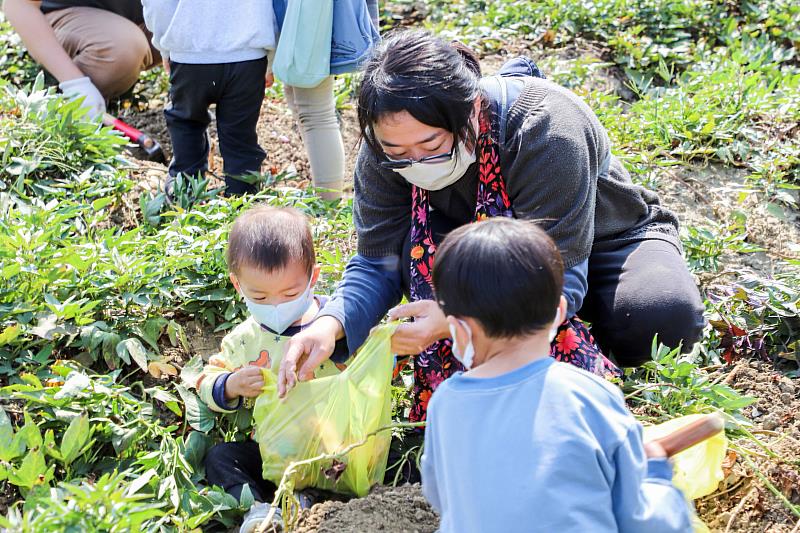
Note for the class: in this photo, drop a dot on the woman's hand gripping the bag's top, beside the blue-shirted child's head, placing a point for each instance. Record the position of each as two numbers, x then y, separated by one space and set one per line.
429 326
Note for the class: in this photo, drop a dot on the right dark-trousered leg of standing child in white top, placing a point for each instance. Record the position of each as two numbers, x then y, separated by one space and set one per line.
238 109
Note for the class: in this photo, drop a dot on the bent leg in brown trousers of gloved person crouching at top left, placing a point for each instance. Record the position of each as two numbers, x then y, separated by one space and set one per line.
110 49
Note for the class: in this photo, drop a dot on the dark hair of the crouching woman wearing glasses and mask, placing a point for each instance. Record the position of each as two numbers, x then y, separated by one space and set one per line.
435 81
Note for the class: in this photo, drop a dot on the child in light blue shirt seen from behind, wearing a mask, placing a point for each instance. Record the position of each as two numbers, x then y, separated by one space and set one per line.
521 442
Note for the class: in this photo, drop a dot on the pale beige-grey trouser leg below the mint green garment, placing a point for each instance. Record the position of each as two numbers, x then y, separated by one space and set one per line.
315 111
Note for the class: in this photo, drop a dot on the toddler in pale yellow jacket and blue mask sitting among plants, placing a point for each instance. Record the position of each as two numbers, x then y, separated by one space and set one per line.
272 266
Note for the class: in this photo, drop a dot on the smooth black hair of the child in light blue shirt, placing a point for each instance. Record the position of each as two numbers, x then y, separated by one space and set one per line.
507 274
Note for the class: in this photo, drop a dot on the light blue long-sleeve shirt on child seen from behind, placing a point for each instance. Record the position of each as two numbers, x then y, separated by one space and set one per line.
547 447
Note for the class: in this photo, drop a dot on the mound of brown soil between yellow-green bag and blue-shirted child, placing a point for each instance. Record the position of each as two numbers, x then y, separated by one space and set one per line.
387 509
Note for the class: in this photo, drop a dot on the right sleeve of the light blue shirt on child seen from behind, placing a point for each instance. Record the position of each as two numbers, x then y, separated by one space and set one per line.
644 498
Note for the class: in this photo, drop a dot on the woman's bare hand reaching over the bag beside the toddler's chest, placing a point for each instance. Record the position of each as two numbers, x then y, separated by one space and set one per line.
306 351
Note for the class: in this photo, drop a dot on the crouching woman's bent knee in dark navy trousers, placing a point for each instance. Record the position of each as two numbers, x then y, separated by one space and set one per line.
639 290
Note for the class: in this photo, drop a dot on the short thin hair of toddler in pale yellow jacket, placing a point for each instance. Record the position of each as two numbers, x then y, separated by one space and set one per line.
269 239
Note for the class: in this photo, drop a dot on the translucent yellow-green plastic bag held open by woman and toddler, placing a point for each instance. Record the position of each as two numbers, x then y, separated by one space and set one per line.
325 415
